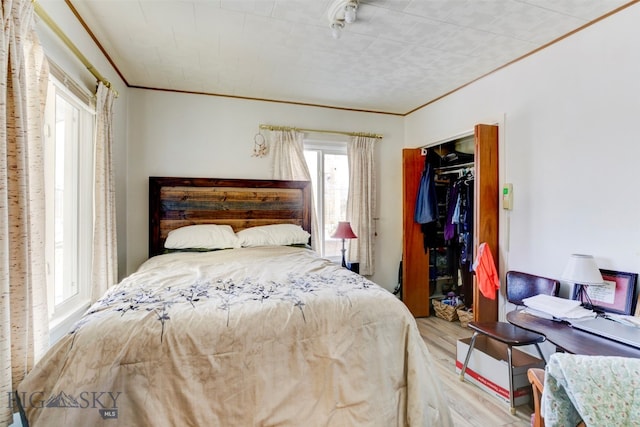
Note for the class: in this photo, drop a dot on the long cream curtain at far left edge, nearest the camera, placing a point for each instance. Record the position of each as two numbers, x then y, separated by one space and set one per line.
24 329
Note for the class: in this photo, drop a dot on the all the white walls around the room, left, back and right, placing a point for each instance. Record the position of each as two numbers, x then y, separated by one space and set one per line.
568 145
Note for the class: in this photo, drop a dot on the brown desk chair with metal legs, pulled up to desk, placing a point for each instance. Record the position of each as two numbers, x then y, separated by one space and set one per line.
518 286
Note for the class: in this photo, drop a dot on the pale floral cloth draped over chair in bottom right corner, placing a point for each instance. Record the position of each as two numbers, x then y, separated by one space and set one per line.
599 390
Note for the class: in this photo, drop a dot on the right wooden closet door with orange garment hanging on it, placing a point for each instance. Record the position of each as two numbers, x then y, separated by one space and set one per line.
487 196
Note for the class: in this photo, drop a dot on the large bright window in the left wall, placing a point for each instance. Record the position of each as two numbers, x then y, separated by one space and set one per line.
68 136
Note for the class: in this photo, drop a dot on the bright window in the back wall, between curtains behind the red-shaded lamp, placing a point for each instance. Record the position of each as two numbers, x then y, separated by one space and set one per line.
329 169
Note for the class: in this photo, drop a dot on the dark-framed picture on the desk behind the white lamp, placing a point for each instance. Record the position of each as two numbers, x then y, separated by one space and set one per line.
616 295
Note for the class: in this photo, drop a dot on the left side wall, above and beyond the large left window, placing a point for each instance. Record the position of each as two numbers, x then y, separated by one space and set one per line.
62 56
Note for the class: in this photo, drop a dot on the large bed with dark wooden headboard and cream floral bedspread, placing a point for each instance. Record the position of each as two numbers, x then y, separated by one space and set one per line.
263 333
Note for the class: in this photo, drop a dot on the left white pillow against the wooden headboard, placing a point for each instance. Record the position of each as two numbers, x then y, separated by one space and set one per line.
202 236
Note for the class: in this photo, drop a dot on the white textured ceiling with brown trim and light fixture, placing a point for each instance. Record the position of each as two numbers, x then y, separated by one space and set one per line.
397 56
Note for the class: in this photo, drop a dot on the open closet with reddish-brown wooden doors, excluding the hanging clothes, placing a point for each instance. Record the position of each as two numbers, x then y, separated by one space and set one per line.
422 278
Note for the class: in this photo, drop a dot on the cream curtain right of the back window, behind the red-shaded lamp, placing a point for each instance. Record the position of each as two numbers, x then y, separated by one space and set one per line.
361 201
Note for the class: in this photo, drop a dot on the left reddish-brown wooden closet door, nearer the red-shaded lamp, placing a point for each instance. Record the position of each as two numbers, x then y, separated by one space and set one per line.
415 260
